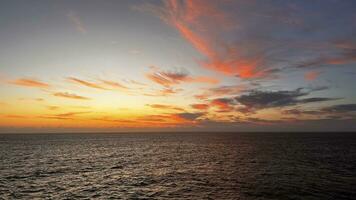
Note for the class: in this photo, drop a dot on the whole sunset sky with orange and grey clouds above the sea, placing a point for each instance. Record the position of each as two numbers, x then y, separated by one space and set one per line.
175 65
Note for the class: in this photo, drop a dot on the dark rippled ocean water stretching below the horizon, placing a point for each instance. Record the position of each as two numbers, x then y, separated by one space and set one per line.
179 166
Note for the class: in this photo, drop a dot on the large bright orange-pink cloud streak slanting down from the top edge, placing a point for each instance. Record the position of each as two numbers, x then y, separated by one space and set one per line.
208 22
